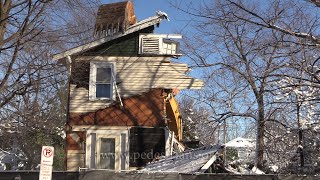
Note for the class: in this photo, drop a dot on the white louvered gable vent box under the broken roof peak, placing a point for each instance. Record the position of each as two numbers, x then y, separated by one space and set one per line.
159 44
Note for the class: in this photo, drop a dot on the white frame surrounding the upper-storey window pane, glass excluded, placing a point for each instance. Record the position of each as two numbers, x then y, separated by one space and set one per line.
92 81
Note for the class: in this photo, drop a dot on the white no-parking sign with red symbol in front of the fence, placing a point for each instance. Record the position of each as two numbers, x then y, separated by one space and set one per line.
46 163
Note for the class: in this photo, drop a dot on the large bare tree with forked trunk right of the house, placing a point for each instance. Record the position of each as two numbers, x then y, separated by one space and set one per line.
243 54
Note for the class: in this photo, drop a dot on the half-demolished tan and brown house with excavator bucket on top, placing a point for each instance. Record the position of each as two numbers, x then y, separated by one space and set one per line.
122 112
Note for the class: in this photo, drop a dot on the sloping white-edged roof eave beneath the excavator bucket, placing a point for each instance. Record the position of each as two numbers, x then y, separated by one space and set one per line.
134 28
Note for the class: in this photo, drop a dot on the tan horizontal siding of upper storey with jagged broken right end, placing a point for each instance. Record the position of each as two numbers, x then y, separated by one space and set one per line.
134 76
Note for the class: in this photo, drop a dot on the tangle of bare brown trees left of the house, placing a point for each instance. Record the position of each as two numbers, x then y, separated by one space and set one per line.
32 86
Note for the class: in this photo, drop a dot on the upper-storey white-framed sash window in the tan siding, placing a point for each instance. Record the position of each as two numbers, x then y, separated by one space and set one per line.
101 80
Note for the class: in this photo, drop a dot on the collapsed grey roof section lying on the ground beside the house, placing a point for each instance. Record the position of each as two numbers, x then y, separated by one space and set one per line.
187 162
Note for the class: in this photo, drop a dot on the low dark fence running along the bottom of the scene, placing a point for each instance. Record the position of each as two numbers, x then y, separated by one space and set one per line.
134 175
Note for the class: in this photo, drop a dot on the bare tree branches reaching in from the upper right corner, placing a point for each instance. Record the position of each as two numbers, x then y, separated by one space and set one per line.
297 19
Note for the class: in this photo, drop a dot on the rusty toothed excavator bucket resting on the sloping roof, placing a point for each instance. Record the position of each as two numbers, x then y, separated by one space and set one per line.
114 18
